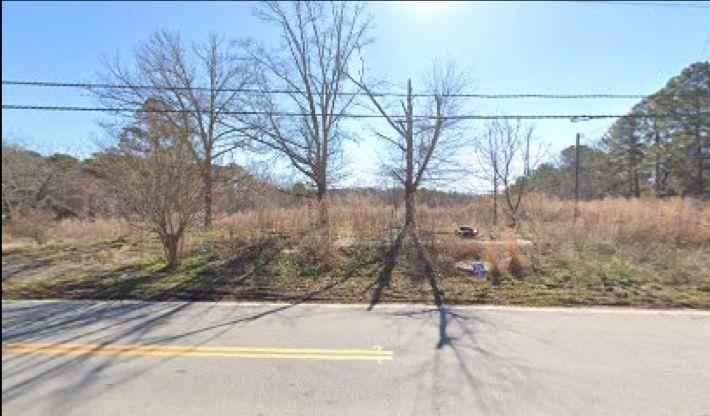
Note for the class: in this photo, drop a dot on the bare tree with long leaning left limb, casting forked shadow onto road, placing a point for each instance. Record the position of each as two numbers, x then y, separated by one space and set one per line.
424 145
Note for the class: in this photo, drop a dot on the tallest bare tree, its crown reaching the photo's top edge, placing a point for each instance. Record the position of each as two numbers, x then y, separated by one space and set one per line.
319 42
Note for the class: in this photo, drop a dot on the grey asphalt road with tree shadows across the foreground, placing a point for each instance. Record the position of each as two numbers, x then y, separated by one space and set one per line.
136 358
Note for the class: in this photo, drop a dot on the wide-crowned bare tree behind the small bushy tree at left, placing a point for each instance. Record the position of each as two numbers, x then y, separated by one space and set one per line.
200 83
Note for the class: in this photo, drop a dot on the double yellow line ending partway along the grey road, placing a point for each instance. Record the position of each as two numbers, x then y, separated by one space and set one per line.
195 351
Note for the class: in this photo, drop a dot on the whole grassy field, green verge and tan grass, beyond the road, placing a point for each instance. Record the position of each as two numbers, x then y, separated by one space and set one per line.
647 253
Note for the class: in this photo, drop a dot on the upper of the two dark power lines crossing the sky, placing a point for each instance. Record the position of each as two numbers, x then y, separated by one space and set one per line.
90 85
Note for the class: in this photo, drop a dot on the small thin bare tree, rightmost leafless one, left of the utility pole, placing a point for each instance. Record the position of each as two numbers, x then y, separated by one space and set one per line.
503 152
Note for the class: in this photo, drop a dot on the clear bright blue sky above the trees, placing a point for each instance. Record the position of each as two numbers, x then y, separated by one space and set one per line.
505 47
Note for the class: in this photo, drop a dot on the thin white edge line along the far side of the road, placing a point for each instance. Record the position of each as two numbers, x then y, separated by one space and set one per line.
384 306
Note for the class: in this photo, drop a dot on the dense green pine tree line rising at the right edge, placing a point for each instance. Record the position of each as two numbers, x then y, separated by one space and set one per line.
659 156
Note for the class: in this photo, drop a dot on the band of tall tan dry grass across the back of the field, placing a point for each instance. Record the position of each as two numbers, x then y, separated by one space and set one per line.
615 220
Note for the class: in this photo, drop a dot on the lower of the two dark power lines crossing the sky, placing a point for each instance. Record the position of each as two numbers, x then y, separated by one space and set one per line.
572 117
